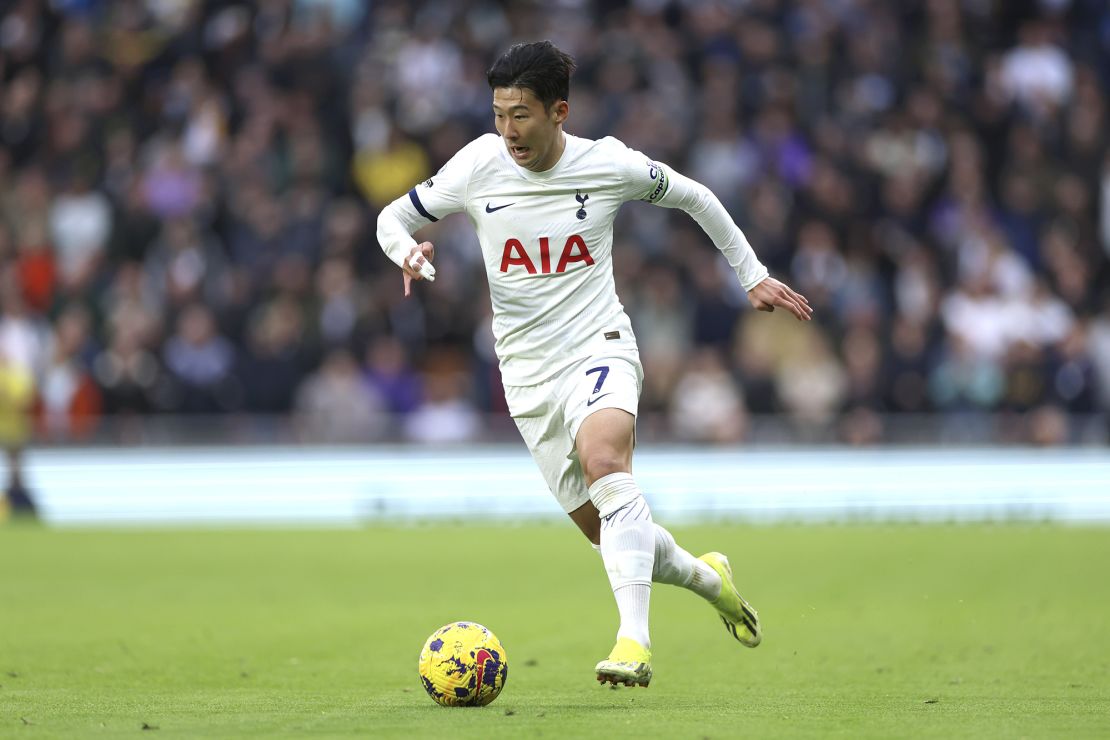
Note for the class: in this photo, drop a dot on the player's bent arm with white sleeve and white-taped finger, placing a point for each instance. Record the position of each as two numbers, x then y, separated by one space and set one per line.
426 204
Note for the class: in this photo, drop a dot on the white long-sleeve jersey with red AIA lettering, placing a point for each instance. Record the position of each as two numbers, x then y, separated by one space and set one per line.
548 242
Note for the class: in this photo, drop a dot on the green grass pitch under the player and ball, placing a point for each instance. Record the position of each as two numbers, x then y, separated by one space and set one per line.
871 632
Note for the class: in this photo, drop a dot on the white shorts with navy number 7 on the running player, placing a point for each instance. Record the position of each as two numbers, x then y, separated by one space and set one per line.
549 417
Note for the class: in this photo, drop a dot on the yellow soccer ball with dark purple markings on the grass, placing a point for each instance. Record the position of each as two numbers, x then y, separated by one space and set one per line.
463 665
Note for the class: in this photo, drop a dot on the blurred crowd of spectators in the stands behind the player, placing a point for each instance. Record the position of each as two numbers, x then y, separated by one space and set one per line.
189 189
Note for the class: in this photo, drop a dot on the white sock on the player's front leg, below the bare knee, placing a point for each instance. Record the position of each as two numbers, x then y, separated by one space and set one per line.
628 551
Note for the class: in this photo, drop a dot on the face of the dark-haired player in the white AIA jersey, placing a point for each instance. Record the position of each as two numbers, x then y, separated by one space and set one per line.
533 135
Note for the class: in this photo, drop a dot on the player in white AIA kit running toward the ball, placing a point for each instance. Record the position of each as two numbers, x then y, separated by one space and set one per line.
543 205
